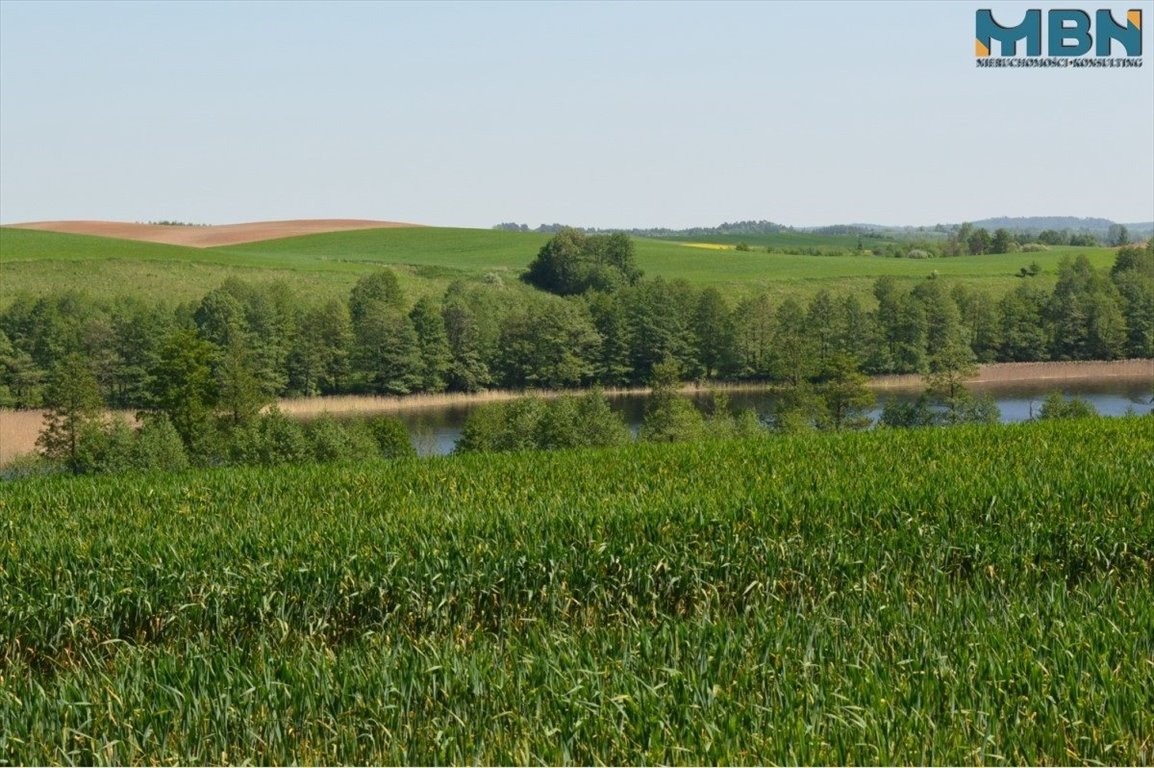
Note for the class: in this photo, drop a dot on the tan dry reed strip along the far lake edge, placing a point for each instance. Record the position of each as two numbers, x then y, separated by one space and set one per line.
19 430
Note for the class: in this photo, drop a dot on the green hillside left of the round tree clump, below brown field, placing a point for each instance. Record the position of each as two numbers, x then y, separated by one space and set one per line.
318 266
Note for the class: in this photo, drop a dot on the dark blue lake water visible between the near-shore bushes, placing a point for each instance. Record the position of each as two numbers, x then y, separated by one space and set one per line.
437 431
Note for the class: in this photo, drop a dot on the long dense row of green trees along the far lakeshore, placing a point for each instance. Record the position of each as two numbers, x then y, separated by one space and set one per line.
245 344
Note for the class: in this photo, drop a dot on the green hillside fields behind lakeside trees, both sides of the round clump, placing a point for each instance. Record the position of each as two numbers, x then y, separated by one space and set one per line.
429 259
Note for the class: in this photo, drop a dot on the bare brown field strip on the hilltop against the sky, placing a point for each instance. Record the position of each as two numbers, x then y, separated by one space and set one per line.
208 237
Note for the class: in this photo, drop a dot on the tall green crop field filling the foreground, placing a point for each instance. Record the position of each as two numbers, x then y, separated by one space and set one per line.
968 596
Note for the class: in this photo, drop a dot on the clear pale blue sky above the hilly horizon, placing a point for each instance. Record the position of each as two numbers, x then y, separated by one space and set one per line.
597 115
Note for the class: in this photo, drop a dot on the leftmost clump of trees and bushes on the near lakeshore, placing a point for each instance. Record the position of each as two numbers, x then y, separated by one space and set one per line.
198 419
